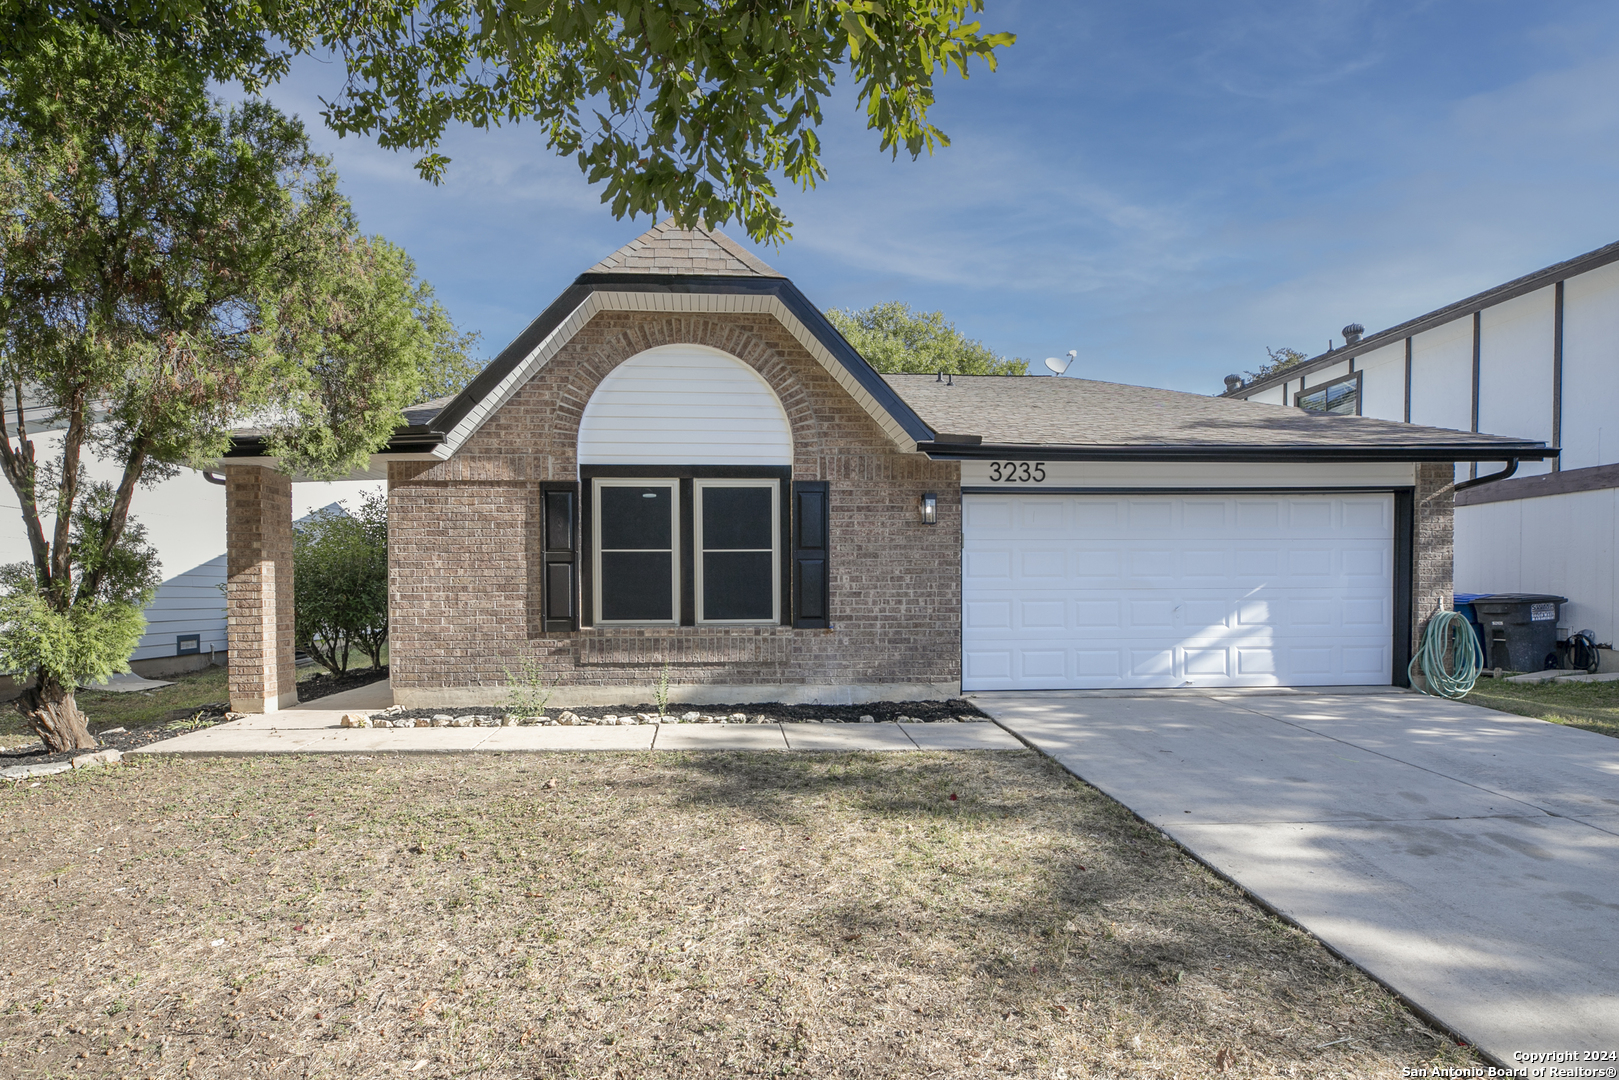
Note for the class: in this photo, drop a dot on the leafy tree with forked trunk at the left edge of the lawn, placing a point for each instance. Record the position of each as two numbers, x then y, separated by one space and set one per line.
169 270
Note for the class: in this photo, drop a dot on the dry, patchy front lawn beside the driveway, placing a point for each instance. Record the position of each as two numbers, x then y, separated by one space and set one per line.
647 916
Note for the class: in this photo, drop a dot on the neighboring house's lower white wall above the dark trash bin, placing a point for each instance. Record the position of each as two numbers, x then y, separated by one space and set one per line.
1562 545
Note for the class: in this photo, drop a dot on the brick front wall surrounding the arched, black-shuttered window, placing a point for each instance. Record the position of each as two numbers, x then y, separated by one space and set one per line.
464 543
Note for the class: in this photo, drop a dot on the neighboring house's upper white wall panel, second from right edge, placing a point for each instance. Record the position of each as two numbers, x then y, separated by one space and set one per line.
1515 373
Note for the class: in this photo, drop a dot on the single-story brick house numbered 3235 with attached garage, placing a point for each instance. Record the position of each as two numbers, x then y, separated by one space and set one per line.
682 467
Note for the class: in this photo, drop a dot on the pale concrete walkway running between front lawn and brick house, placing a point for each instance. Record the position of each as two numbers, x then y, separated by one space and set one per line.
317 731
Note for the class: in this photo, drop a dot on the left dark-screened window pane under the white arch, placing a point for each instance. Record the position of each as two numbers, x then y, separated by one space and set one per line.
637 555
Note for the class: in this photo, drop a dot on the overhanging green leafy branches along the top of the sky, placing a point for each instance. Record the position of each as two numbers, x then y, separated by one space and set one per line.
682 106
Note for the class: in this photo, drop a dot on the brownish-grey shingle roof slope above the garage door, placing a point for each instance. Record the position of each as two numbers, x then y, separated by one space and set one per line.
1030 410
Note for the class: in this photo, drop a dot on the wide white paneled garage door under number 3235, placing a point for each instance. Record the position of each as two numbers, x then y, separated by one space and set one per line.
1095 592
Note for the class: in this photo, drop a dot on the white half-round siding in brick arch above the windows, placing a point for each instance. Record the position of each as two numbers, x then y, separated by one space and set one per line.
684 406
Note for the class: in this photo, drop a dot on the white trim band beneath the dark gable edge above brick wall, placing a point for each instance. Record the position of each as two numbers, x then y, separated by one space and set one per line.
684 304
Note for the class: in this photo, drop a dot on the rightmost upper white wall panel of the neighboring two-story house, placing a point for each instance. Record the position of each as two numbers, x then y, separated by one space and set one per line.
1591 368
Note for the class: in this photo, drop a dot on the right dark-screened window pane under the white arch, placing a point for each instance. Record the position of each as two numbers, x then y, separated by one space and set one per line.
739 577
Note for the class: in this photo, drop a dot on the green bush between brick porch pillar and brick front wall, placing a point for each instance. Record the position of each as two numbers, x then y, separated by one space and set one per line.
341 584
